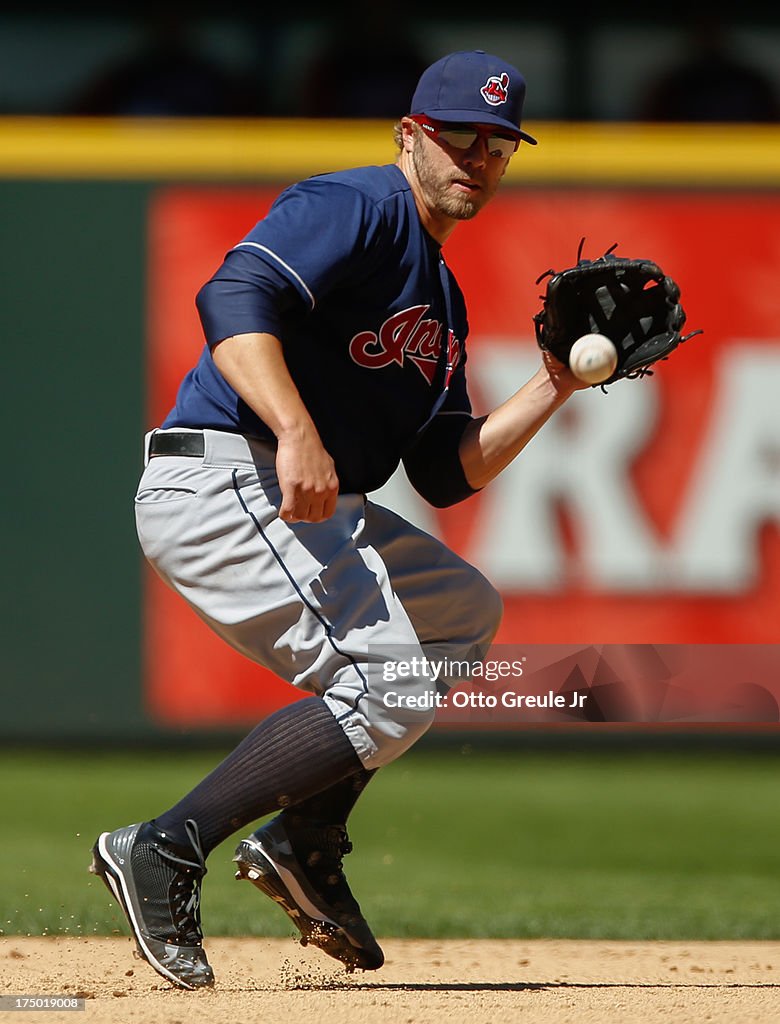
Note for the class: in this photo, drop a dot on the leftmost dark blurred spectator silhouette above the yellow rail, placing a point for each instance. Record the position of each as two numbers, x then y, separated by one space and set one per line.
167 77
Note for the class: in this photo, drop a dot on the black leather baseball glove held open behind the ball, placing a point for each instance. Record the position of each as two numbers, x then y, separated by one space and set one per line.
630 302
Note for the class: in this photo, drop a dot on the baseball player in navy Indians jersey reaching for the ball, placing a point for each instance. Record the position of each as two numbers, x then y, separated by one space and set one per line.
335 350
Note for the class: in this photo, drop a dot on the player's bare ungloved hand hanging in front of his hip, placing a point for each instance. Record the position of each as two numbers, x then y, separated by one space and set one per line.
308 479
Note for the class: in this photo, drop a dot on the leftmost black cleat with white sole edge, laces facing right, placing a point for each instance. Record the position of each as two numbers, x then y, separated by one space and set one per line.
158 885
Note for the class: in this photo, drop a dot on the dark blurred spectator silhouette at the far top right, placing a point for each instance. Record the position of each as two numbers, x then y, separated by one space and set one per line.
712 84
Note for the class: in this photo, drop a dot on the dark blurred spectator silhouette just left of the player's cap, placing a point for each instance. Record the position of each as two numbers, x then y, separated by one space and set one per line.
368 67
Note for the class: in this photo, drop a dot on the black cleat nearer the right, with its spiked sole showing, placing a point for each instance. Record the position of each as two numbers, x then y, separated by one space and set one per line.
299 865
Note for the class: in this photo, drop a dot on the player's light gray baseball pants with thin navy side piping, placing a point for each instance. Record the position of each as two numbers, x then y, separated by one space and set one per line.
323 606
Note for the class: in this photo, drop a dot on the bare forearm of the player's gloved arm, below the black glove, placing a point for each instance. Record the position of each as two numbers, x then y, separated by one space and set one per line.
492 443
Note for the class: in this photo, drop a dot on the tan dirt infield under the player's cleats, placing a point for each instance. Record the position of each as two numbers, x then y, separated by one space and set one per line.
423 983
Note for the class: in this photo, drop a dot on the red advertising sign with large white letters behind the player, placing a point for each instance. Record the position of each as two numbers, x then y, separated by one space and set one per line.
644 516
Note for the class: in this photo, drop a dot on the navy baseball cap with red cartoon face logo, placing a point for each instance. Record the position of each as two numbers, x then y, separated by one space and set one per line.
475 88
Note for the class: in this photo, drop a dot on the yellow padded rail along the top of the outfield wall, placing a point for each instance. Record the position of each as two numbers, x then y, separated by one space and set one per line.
286 150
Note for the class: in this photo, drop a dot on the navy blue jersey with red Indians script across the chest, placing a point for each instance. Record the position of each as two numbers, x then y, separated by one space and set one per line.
372 322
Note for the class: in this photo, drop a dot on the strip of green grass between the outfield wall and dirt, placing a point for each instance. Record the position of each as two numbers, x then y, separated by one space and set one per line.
599 845
